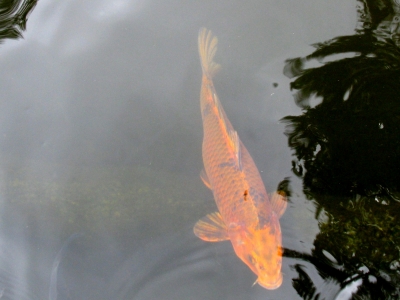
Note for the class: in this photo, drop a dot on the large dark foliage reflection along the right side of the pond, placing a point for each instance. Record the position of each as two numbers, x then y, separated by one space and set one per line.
348 155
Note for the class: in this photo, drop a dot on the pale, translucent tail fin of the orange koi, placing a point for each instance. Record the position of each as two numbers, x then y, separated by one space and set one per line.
207 48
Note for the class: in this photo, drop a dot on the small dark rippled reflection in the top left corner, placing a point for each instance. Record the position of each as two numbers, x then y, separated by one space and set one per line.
13 17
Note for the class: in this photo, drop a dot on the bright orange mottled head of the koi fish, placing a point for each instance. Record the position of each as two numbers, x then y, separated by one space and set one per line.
260 248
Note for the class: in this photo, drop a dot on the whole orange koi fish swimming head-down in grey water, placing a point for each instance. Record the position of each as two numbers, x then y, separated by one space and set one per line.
246 216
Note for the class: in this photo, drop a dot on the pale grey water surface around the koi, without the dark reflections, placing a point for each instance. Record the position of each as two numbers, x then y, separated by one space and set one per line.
100 135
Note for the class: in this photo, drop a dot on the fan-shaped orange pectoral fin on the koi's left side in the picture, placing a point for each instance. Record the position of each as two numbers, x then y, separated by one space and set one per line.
211 228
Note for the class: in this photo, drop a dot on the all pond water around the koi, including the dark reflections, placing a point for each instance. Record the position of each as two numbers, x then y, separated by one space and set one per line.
101 147
